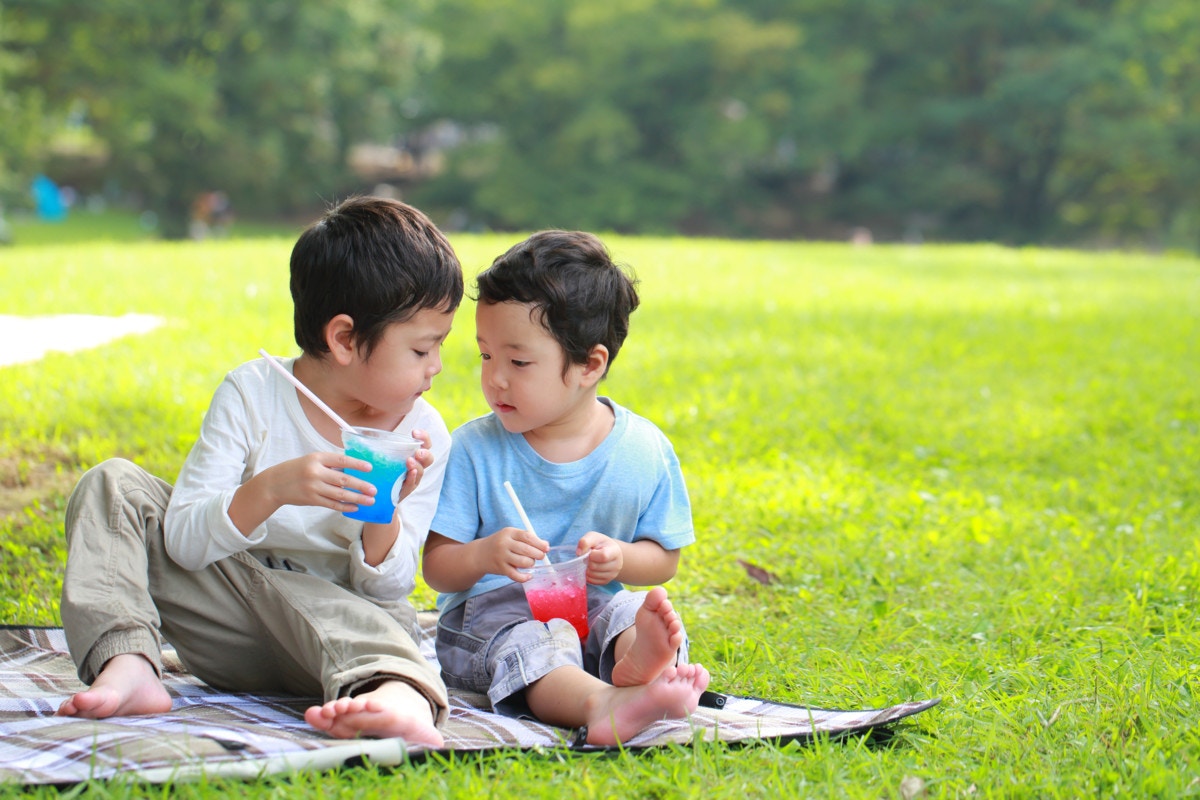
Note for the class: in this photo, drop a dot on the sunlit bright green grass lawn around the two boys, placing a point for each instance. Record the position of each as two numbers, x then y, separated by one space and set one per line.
974 470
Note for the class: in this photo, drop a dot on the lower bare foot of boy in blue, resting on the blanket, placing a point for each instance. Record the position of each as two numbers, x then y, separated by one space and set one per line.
623 713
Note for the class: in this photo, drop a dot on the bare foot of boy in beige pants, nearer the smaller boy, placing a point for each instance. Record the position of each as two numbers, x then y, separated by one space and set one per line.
392 709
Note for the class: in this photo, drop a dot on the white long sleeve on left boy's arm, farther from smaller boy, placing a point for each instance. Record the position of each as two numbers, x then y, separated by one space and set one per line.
197 527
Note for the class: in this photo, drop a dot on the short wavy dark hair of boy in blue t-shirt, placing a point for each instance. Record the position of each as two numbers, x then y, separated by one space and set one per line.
577 291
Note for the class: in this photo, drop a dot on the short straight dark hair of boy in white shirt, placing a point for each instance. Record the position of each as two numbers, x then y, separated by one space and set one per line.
377 261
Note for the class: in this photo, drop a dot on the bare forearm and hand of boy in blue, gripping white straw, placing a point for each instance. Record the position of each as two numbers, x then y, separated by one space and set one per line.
449 566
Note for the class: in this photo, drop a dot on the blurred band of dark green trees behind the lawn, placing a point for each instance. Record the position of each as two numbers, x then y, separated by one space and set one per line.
1013 121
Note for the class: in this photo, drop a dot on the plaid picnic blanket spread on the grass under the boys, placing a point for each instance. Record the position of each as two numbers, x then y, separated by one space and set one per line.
219 735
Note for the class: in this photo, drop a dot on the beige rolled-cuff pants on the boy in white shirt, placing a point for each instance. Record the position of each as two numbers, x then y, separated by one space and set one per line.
236 624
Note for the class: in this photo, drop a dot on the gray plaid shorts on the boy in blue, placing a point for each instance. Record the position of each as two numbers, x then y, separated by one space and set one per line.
491 646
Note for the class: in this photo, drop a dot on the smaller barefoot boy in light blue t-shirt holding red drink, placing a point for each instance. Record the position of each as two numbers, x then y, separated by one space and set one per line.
553 314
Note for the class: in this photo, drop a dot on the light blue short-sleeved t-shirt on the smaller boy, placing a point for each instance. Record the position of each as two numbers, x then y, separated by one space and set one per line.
631 489
